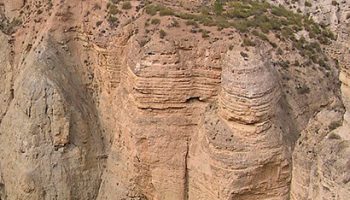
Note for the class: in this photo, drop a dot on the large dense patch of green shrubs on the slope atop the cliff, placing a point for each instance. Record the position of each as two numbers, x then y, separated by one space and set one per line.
260 19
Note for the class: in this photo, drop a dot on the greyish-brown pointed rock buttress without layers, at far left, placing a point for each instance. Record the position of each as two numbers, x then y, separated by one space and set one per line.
46 142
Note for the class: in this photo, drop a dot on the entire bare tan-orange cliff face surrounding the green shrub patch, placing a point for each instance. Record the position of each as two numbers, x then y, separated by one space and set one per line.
117 109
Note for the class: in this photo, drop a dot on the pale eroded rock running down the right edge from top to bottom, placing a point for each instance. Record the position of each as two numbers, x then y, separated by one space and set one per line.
320 158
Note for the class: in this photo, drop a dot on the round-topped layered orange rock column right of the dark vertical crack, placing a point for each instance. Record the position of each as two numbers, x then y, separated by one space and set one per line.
240 149
